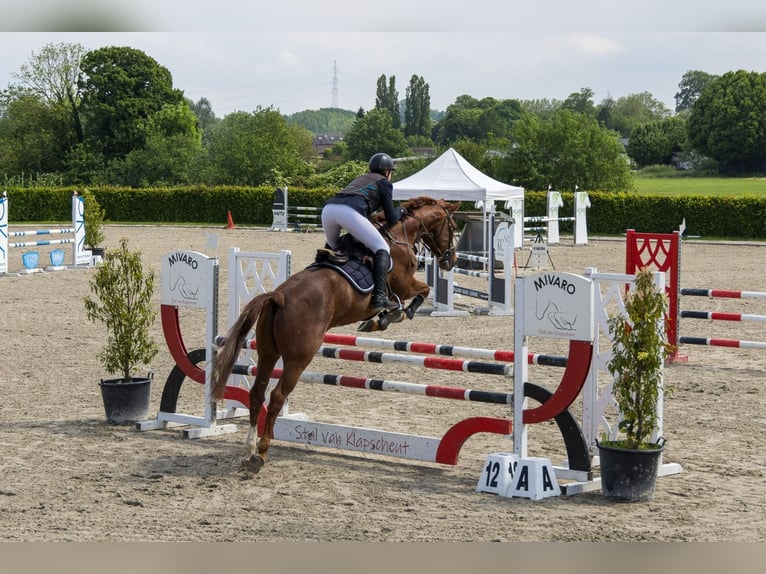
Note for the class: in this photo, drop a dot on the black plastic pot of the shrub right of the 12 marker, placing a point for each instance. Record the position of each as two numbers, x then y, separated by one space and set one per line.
628 475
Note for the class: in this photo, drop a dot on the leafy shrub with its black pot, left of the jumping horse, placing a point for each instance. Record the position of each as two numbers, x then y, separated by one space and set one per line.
123 304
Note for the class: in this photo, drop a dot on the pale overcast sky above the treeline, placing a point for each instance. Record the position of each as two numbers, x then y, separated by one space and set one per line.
241 54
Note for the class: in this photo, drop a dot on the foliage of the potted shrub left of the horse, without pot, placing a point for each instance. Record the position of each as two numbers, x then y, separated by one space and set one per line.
123 303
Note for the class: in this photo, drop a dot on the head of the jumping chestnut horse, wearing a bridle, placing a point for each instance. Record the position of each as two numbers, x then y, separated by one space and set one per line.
436 220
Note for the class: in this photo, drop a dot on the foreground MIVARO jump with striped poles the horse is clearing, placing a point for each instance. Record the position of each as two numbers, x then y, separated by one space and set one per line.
581 308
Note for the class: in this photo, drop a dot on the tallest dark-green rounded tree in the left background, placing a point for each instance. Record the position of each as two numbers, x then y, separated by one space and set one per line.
121 88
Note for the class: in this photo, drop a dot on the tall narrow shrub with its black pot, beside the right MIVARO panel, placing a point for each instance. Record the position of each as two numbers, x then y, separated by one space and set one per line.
629 461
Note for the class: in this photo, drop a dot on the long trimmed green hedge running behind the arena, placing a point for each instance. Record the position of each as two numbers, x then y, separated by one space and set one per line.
609 214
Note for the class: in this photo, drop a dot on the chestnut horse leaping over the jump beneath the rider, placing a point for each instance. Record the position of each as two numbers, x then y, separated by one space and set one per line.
291 321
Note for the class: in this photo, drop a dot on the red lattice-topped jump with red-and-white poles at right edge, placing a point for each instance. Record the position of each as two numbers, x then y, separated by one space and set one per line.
662 251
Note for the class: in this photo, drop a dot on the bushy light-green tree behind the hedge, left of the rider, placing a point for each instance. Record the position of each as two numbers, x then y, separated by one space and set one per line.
246 149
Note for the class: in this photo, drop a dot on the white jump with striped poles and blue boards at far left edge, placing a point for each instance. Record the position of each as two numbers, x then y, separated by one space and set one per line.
80 256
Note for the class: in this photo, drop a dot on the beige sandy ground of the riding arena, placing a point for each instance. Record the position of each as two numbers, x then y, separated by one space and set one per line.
67 475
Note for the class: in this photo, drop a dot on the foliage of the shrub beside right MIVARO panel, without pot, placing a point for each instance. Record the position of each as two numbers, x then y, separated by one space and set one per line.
639 350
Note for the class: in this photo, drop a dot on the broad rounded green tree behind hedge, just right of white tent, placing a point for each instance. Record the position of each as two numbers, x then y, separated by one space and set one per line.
569 150
